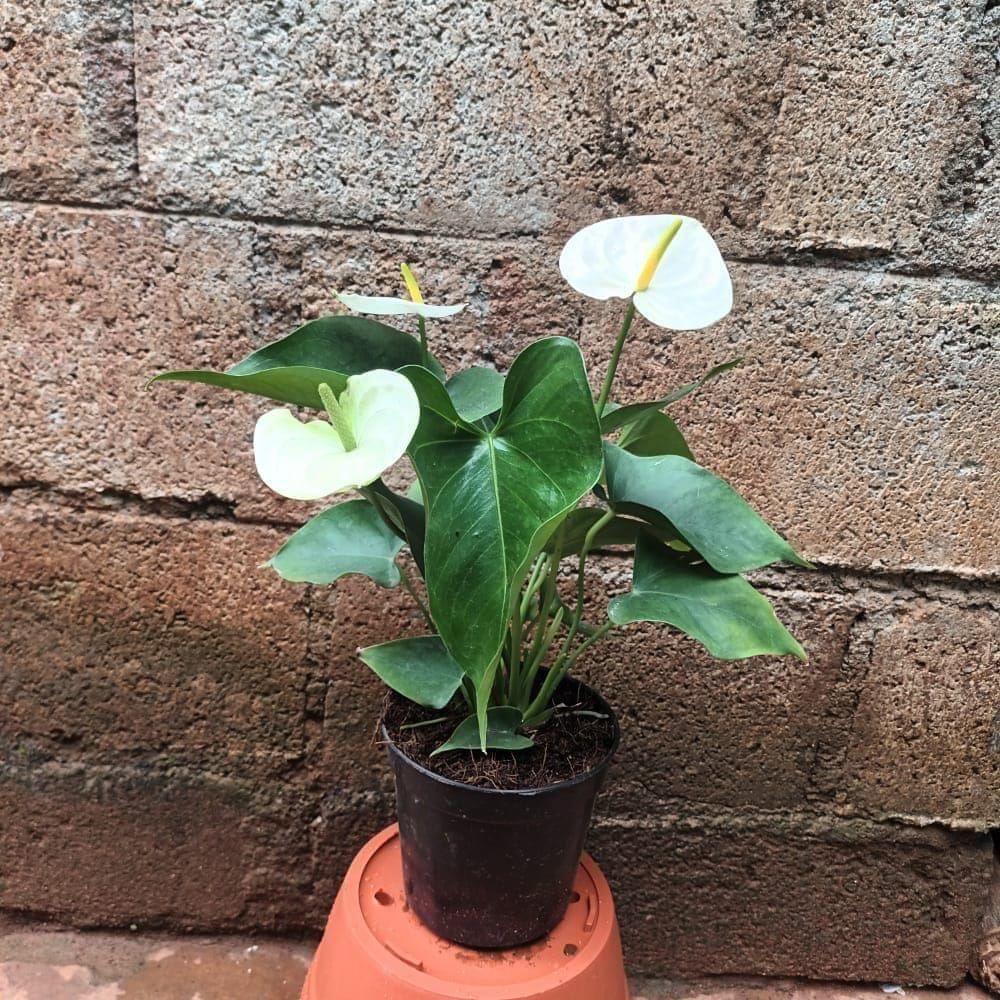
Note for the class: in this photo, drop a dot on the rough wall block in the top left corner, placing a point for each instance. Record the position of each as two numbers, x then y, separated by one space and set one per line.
66 74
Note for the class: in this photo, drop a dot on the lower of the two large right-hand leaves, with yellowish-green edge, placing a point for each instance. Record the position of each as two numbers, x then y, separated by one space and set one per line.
724 613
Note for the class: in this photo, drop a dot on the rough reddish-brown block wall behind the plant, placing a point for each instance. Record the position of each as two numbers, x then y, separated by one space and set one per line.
187 742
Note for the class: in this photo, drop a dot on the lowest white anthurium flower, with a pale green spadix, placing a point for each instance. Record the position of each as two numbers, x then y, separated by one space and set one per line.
370 428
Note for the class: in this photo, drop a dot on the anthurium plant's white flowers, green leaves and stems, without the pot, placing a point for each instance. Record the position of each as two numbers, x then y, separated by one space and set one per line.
516 475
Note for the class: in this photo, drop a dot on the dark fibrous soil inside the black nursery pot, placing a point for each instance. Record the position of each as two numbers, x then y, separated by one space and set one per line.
574 741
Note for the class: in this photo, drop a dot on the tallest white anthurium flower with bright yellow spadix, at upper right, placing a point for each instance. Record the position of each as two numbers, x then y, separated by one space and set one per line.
668 264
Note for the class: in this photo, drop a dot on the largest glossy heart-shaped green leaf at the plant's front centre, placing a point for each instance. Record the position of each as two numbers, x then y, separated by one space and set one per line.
494 496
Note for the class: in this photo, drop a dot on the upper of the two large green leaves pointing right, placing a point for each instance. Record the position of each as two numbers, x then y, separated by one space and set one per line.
707 512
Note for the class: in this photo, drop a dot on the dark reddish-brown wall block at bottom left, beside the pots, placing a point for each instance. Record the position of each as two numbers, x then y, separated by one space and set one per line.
101 846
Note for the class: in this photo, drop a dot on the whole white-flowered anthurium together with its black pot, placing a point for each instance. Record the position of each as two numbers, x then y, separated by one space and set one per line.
498 753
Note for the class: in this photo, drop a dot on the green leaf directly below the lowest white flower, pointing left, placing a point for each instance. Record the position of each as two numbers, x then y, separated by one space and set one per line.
347 538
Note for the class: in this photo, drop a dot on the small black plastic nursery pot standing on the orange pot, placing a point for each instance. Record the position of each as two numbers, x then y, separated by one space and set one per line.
491 868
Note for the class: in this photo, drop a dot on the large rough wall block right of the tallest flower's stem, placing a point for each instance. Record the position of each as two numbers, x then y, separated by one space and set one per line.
837 457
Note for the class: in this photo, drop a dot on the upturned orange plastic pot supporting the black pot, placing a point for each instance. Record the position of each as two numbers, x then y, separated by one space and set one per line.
375 948
